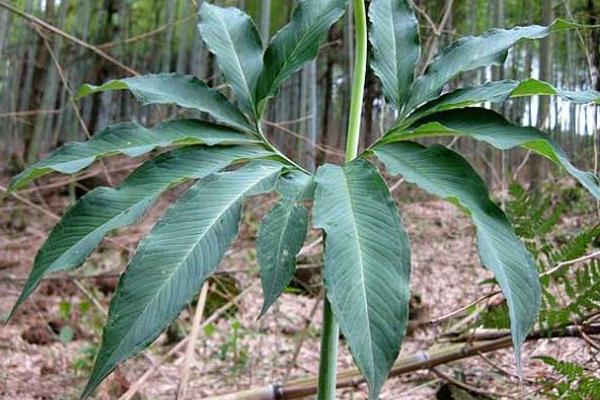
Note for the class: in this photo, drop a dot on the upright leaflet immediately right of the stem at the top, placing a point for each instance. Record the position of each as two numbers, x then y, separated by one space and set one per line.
395 47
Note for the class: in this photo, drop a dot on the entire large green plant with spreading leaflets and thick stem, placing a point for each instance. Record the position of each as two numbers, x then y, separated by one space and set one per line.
367 256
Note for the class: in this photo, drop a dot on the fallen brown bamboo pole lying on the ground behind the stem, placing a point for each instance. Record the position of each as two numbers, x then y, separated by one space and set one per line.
422 360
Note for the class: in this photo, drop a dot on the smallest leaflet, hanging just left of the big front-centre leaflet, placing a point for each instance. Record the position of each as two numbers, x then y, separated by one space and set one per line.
281 236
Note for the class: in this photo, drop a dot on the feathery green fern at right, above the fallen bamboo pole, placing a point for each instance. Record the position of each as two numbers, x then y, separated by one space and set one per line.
567 293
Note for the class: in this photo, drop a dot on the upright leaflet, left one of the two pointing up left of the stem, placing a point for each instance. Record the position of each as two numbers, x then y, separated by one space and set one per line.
232 37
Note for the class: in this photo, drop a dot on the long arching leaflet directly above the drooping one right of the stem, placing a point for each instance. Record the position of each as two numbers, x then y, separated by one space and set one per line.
493 128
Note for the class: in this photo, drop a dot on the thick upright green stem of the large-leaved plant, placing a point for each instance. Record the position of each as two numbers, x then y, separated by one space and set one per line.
329 340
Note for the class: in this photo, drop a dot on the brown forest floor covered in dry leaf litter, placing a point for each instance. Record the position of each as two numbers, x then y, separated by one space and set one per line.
46 351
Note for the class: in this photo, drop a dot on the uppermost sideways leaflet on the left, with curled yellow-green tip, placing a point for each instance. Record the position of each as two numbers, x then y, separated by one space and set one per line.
182 90
